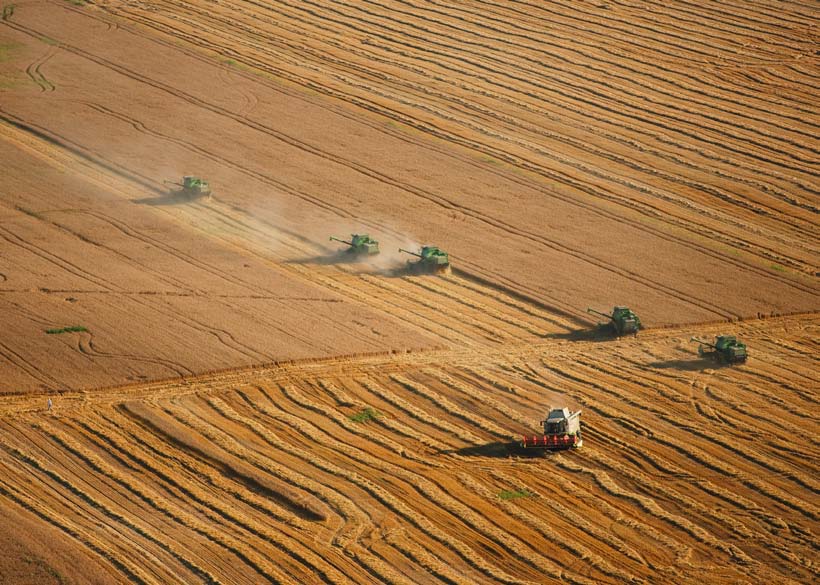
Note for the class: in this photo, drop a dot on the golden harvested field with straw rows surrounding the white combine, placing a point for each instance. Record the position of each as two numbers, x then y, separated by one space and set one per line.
169 443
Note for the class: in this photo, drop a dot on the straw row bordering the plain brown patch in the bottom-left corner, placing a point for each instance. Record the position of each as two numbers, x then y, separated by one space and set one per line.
100 547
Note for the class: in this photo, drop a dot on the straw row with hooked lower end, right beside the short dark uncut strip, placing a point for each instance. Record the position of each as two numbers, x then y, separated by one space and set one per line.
356 519
